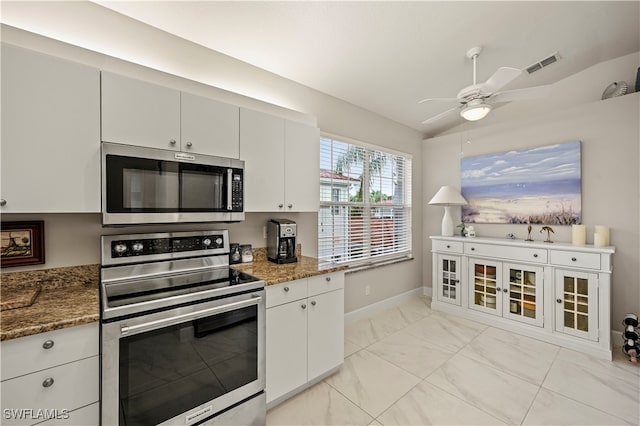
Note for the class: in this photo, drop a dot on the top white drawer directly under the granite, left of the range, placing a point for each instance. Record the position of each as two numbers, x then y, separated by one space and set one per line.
28 354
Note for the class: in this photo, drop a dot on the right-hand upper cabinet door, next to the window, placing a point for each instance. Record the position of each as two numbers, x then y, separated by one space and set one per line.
302 167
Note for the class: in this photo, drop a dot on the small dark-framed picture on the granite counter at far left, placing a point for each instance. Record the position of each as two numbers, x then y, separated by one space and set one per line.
22 243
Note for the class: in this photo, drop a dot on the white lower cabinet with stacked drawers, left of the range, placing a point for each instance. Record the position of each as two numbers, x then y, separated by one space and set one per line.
52 377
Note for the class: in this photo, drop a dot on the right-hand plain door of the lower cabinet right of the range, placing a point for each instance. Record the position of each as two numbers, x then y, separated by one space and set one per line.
325 332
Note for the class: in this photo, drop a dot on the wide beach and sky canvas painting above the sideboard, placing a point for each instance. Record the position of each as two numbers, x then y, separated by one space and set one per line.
537 185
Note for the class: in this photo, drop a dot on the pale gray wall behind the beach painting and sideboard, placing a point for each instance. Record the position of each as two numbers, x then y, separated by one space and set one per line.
610 134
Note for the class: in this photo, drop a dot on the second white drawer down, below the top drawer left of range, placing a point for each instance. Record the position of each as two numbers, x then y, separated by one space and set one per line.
73 385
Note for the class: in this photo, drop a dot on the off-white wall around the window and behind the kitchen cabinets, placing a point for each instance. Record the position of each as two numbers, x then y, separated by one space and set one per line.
113 42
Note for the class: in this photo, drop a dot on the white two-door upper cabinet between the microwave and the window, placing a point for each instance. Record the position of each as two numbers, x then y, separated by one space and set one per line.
282 163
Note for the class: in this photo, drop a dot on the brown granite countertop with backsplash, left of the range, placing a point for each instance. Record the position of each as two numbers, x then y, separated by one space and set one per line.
35 302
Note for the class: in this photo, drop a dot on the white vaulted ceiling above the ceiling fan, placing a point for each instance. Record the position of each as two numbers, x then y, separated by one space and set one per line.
385 56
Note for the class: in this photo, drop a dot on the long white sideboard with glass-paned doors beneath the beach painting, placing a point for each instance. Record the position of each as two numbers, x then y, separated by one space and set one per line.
555 292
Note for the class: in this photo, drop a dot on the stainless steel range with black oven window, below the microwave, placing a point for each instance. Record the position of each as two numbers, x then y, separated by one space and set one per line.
182 337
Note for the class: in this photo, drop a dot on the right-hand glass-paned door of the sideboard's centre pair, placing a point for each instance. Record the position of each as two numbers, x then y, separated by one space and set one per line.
522 292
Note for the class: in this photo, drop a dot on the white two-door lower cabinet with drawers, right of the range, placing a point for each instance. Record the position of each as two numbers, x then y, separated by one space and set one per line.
305 333
